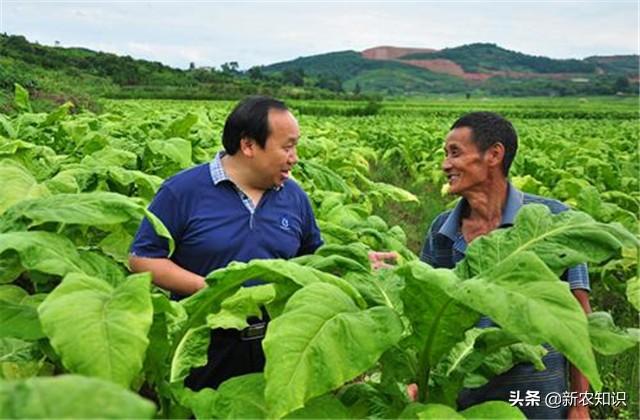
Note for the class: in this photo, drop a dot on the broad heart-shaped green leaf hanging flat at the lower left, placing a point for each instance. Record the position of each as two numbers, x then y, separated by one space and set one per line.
97 329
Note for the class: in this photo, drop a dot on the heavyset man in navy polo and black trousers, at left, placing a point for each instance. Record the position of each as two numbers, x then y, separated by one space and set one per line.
240 206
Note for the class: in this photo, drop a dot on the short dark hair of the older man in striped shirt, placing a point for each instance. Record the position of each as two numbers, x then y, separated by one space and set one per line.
488 129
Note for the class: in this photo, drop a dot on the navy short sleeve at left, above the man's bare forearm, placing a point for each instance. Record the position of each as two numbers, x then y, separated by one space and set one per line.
146 242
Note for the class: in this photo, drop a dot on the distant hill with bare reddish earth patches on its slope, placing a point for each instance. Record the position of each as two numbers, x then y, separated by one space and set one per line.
480 68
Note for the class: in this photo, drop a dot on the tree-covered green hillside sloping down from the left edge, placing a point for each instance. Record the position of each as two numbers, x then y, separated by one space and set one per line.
54 75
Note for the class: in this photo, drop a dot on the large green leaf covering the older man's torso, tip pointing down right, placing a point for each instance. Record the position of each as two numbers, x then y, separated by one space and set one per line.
528 300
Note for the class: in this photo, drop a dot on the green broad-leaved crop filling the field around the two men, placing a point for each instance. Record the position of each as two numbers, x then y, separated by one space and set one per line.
81 337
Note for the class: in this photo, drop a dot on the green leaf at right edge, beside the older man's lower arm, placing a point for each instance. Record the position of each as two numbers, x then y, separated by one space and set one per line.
609 339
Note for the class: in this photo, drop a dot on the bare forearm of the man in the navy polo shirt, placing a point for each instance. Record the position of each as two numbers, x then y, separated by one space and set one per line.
168 275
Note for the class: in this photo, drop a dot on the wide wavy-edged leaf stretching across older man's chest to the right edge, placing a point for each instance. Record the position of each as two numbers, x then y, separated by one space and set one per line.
560 240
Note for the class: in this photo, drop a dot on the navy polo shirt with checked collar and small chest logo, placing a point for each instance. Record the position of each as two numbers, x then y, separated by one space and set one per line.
214 223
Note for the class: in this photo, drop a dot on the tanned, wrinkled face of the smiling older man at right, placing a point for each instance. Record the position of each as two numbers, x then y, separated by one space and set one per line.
464 165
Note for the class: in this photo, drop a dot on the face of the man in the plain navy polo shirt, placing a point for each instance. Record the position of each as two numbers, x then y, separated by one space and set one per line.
279 155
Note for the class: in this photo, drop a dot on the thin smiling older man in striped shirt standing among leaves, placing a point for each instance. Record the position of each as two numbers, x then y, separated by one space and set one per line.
479 151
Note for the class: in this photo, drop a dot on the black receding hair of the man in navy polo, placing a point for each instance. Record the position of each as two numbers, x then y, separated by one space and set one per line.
249 119
